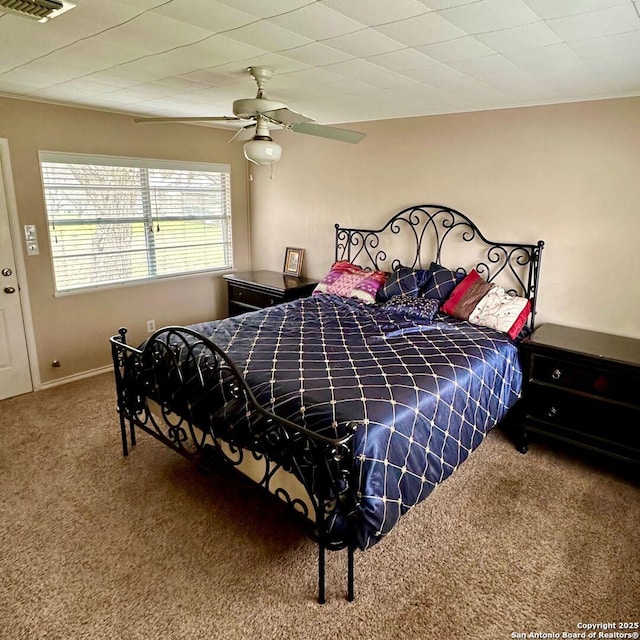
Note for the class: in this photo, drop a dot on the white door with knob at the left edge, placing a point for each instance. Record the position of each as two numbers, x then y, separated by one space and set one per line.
15 375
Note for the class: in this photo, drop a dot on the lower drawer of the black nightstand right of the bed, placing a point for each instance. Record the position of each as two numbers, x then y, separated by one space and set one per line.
560 411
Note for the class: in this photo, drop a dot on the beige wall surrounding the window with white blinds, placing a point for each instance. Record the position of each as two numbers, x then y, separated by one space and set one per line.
74 329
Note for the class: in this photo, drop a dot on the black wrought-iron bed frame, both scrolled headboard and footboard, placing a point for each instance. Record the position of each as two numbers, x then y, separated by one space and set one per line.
182 389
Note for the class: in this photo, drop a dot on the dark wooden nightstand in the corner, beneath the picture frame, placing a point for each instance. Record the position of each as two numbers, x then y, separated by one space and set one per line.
253 290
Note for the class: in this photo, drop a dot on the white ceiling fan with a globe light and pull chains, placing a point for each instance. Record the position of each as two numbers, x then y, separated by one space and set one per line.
263 114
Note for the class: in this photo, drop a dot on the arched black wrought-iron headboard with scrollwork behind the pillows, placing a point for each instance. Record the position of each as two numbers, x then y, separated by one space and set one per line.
421 234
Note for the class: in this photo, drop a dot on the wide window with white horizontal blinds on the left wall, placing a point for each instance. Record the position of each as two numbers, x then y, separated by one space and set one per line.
115 220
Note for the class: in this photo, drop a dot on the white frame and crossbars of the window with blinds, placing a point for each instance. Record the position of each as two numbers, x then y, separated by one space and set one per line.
140 163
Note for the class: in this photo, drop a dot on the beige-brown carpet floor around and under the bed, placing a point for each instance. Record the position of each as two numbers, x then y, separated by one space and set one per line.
93 545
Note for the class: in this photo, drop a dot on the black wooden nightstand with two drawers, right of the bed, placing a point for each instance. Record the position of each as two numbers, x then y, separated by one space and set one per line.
582 388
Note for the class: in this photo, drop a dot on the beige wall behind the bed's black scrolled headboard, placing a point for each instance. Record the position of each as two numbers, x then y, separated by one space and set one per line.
567 174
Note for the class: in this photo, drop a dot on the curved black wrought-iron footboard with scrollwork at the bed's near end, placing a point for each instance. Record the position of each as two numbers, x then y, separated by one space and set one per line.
185 391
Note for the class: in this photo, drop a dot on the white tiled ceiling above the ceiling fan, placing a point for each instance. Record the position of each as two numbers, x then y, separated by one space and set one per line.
335 60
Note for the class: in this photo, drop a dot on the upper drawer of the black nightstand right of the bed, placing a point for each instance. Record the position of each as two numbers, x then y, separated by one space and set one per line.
597 381
